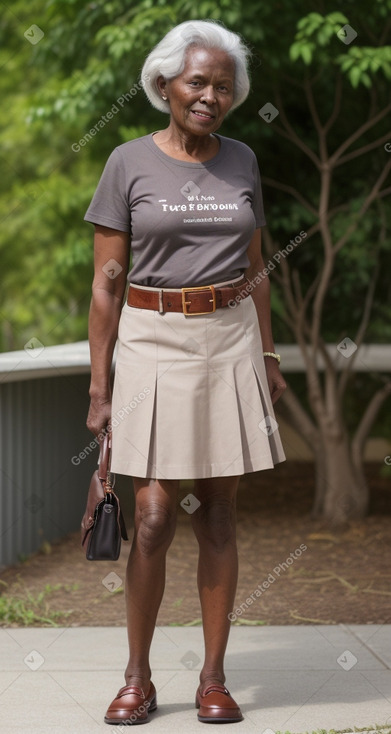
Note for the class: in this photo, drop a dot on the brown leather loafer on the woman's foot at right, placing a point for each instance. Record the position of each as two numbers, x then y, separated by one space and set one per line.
216 705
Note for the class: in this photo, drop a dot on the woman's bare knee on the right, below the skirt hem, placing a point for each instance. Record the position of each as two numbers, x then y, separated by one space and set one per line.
215 522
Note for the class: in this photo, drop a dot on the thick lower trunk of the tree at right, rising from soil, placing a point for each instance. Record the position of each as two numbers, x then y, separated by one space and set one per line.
341 488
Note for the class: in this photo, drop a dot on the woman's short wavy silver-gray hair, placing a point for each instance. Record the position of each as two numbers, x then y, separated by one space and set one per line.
167 59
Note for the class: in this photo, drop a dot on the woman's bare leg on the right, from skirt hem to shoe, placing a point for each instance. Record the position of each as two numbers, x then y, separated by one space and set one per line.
214 524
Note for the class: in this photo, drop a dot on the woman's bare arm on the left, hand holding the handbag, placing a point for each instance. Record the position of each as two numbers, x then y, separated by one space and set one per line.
108 290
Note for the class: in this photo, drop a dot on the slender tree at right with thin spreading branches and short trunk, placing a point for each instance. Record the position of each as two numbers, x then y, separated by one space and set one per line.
335 240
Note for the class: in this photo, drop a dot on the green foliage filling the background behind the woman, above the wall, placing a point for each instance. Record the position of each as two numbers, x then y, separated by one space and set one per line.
56 91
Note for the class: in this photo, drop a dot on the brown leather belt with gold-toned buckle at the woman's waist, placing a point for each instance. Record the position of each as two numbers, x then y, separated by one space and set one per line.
190 301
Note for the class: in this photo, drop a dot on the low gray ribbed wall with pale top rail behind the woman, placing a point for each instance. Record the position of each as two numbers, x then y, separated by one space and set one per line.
46 457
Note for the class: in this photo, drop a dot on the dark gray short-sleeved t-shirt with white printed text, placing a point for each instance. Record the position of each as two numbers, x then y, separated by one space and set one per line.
190 223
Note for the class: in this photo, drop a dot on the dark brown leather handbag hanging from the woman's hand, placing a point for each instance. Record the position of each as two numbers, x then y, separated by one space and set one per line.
103 524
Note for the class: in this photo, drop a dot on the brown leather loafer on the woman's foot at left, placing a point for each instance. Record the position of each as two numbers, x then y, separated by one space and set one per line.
131 706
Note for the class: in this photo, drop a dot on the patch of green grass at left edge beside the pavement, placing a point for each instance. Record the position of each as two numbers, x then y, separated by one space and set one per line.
26 610
